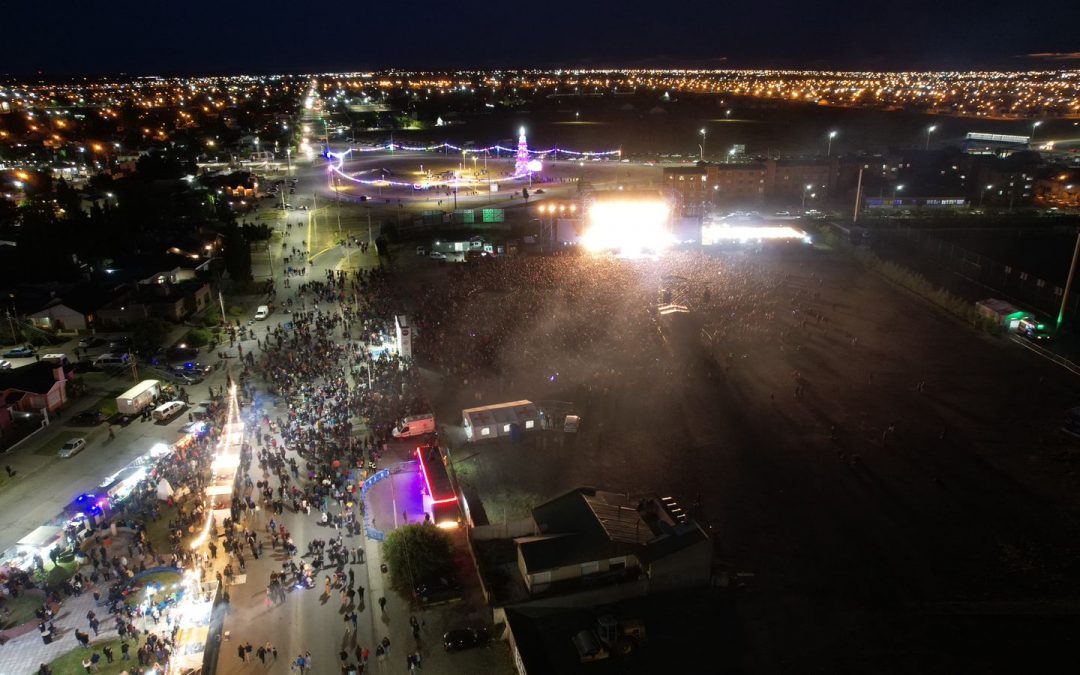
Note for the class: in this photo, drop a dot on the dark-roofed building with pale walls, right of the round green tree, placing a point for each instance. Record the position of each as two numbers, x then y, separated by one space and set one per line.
589 537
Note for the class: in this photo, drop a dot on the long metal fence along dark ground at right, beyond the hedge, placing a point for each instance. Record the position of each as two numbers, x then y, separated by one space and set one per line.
1007 281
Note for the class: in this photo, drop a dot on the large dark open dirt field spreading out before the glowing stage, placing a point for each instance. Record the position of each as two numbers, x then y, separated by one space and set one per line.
897 484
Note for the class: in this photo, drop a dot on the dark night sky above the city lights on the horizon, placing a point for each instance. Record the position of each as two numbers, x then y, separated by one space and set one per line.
143 37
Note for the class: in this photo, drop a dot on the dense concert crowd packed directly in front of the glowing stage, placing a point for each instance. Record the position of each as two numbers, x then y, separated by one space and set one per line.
584 323
